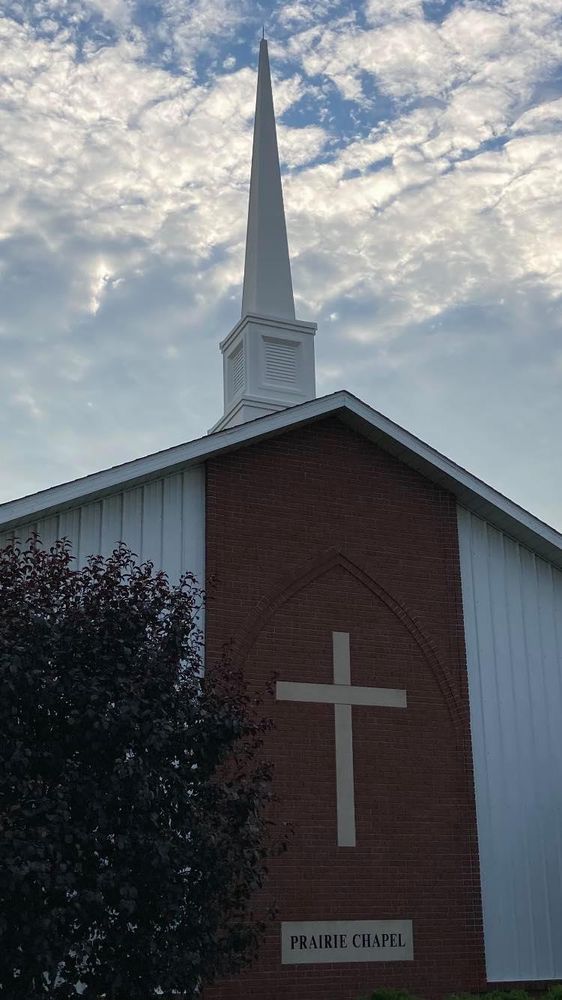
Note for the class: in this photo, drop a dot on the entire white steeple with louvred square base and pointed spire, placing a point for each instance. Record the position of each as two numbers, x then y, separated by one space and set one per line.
268 358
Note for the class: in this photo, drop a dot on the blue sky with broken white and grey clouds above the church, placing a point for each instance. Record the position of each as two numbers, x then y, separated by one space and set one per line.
421 148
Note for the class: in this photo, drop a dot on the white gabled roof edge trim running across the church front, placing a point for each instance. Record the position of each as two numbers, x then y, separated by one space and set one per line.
471 492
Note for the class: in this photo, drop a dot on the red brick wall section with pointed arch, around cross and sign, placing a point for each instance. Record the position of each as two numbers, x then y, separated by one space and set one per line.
319 531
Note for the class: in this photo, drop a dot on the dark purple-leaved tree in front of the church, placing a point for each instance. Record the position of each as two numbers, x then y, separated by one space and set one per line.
132 825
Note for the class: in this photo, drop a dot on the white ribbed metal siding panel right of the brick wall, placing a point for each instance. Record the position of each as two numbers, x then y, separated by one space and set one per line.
513 622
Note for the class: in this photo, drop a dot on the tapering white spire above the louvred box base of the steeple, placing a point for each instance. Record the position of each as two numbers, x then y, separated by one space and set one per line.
268 288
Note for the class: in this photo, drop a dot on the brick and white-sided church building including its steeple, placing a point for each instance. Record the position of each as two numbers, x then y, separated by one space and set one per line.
412 618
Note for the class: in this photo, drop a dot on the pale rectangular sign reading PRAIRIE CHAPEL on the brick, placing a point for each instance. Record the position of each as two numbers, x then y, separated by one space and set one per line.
313 942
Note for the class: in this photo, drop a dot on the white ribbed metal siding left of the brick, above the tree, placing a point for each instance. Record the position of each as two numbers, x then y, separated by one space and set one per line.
164 520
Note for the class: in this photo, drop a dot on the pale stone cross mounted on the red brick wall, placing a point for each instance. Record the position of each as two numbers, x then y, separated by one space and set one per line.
342 696
